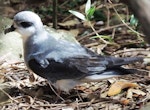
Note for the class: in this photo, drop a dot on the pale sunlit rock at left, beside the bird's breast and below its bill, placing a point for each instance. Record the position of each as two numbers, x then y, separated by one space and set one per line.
10 44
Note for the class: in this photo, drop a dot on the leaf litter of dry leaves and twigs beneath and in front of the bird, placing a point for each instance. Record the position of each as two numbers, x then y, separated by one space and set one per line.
22 89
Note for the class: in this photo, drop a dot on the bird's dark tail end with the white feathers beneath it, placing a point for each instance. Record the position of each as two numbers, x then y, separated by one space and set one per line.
114 69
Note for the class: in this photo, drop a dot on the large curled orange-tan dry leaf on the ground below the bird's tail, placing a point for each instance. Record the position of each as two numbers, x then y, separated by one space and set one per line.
118 86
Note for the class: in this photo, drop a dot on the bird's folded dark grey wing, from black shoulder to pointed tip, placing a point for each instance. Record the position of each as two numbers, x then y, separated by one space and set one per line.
78 67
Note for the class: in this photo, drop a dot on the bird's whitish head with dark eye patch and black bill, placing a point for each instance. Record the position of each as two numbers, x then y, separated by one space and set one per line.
26 23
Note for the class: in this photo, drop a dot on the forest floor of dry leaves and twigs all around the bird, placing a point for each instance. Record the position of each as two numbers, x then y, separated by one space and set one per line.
22 90
